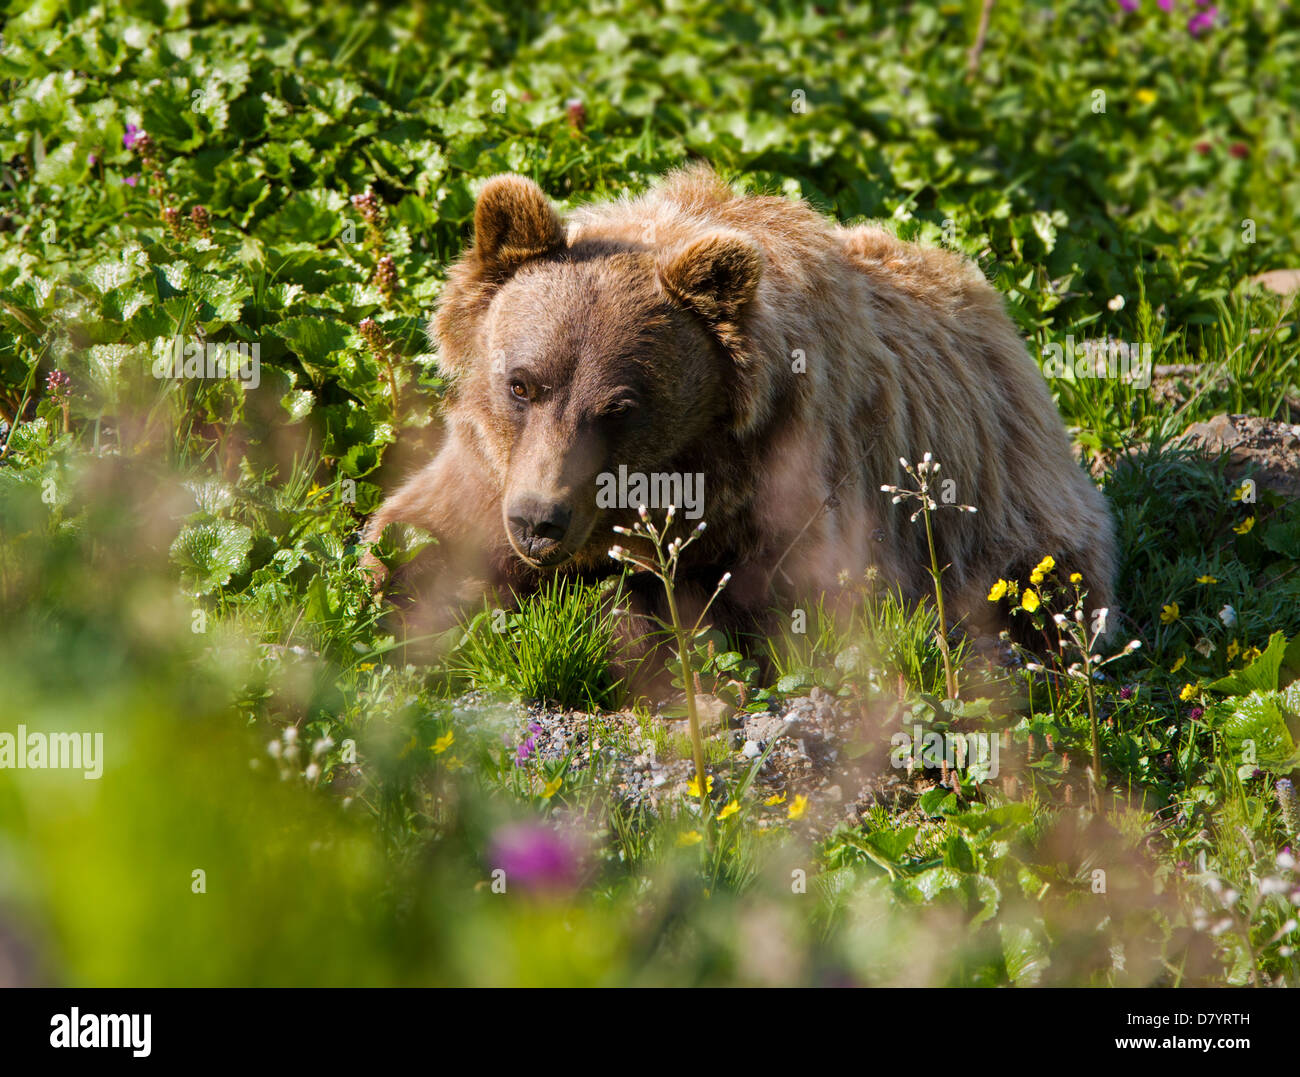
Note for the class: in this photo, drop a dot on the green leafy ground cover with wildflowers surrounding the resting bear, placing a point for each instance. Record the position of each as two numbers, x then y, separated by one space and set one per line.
288 797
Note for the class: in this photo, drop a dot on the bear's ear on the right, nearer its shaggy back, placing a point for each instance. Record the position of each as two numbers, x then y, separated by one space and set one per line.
716 276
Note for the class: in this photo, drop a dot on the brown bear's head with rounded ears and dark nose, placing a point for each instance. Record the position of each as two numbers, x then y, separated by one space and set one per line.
573 356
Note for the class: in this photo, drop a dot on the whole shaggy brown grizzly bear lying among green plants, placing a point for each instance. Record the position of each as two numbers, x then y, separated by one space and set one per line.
749 357
